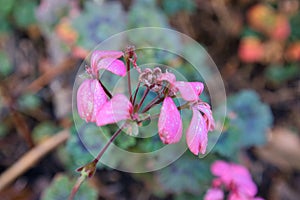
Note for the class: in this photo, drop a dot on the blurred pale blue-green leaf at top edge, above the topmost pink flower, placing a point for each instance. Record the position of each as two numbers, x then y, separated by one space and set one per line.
98 22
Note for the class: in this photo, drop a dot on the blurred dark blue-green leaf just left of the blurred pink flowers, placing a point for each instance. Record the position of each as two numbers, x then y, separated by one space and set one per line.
187 174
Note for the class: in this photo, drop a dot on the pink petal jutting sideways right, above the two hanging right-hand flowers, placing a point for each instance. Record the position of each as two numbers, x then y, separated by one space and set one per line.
189 91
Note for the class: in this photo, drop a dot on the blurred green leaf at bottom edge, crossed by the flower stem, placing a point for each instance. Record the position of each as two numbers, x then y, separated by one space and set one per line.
61 187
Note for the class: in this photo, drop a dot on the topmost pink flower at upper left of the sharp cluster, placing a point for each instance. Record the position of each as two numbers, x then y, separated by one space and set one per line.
107 60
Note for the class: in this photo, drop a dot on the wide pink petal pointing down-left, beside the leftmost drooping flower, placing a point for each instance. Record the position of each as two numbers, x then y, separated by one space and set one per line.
117 109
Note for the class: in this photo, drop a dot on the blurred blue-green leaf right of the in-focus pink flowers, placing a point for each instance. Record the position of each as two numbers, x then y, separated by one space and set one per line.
248 122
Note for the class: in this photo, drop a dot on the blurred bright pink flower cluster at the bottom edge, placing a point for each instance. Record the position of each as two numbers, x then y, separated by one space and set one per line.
235 178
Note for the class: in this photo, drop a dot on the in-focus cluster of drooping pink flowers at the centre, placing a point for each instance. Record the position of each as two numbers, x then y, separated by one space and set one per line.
96 104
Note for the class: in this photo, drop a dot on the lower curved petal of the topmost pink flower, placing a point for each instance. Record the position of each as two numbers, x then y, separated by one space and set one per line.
113 65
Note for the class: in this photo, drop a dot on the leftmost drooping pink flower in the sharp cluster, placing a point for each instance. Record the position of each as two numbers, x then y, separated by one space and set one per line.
90 98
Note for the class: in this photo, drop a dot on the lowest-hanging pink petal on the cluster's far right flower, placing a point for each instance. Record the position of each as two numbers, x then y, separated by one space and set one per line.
196 135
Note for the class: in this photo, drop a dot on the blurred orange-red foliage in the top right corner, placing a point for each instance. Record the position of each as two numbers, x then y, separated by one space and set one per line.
272 37
